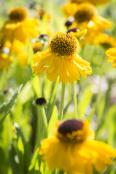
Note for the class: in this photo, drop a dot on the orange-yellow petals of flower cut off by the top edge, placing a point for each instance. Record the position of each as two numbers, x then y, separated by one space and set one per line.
91 1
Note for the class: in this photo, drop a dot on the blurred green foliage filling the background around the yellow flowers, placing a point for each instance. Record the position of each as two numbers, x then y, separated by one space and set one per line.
22 125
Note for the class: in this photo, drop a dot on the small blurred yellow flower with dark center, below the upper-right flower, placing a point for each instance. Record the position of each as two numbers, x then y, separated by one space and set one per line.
105 41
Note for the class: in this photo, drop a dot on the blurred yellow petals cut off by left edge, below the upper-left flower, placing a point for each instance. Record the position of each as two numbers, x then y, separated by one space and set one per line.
5 61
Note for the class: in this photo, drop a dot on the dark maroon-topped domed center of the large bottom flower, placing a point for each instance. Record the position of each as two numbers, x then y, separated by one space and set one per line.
73 130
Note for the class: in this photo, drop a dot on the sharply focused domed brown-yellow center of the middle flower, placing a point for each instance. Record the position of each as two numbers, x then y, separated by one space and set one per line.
63 44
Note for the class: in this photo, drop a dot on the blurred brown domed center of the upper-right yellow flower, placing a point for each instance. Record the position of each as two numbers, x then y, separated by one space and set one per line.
85 13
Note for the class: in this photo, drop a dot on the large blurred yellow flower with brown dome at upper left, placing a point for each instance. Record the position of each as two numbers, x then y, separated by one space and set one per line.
19 26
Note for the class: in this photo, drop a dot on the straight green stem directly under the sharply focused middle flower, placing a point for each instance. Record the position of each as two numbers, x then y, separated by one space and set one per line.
62 101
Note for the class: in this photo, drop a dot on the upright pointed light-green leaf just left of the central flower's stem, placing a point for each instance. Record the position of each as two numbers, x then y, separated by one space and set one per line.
53 120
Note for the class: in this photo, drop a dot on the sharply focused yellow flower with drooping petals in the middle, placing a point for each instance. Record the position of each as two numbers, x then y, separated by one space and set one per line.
61 59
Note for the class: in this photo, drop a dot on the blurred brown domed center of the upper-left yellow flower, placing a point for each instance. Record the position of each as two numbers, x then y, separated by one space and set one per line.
18 14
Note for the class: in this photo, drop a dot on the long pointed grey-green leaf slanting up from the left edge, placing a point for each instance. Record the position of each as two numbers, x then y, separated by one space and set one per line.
6 107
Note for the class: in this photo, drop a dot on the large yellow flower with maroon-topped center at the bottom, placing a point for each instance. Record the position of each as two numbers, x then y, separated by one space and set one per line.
73 149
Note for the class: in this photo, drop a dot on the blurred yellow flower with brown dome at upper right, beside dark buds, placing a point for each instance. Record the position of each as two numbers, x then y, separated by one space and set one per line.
86 18
